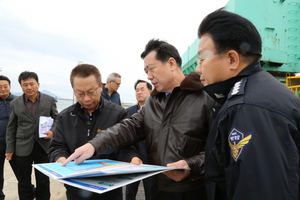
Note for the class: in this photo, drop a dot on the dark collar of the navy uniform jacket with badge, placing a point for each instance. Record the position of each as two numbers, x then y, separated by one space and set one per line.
219 91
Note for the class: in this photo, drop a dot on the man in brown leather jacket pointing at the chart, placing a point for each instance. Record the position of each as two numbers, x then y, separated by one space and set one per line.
174 121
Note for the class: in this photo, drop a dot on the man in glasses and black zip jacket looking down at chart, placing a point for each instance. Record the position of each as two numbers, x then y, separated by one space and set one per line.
80 123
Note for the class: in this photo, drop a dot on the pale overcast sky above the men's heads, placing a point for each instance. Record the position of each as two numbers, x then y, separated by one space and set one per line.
50 37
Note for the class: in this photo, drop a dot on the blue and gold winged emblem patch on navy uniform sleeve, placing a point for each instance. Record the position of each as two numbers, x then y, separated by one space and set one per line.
237 140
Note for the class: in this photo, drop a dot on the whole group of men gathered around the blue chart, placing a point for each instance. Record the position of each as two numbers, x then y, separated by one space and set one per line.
232 128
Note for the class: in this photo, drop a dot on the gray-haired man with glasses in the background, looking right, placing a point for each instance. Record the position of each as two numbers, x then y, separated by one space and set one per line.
109 90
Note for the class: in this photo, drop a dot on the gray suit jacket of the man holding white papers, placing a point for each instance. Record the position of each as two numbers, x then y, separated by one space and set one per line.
22 129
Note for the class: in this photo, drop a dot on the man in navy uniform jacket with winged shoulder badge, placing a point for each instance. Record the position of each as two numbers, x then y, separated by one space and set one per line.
253 147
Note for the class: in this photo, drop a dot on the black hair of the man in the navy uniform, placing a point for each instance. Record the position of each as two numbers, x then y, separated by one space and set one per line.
230 31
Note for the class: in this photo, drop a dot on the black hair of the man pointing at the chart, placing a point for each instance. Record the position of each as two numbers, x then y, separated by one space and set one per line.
163 50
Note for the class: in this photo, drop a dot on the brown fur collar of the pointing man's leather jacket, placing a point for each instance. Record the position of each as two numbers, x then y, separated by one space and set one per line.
191 82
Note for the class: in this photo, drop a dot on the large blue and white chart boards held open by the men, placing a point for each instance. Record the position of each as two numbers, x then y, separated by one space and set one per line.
100 175
